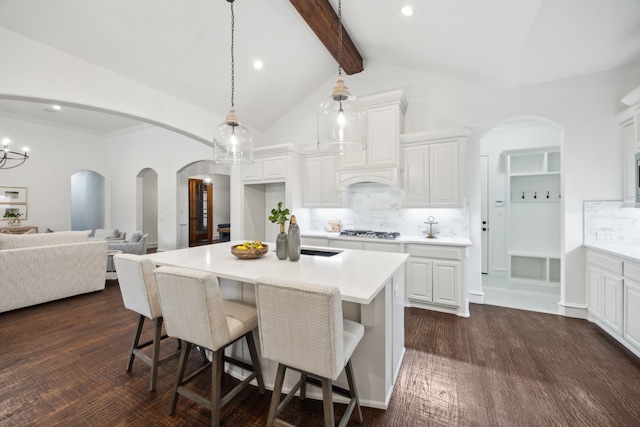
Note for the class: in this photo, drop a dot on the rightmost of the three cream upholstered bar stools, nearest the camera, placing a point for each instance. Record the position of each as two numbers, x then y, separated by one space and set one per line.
301 327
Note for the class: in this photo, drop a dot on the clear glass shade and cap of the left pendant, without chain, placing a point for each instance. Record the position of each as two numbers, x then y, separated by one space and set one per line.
233 144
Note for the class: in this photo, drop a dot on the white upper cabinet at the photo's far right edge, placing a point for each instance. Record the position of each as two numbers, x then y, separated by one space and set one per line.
629 120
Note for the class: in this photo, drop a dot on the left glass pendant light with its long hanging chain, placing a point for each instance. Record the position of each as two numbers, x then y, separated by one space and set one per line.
233 144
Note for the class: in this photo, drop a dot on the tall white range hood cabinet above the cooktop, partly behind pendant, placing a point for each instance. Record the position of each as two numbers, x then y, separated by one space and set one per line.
380 161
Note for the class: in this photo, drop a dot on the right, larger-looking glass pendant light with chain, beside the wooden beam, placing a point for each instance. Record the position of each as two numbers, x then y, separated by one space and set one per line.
340 117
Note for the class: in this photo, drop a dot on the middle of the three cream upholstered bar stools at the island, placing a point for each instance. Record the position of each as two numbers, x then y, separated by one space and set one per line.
195 312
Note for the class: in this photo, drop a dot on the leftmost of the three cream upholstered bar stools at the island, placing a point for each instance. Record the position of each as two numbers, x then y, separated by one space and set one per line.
140 294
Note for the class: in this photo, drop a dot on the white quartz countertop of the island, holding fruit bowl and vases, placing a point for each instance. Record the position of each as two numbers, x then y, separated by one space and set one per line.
359 275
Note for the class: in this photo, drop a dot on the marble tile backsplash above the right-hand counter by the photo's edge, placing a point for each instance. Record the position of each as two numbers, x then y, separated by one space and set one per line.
610 221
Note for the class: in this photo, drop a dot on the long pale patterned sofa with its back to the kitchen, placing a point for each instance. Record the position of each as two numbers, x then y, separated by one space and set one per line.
38 268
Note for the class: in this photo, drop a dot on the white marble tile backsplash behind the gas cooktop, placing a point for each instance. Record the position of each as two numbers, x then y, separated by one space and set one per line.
378 207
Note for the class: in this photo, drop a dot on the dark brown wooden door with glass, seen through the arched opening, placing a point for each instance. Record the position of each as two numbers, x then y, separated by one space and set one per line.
200 212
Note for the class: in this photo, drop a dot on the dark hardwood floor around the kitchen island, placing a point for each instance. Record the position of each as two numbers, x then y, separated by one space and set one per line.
63 363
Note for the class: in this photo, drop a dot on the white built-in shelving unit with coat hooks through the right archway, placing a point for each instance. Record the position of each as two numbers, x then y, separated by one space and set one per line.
534 216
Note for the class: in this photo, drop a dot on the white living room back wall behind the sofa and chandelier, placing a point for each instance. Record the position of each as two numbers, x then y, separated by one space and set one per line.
55 154
